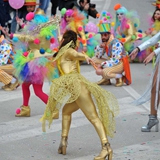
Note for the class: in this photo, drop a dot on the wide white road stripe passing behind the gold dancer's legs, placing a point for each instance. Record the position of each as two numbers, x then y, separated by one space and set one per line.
30 127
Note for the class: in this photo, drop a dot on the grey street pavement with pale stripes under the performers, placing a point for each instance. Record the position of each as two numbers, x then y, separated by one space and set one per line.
23 139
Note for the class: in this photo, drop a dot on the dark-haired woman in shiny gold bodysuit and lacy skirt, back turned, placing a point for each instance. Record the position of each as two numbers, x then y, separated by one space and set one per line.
73 91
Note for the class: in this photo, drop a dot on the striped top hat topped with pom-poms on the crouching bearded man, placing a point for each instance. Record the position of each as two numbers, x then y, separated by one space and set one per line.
105 22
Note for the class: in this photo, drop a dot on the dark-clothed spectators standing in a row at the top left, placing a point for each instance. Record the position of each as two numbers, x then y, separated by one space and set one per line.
10 16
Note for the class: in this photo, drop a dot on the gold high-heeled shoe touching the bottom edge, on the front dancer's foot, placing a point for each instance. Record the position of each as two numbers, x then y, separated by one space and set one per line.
106 151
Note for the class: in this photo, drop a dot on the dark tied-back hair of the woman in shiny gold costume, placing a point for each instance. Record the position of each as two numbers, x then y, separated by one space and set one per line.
69 36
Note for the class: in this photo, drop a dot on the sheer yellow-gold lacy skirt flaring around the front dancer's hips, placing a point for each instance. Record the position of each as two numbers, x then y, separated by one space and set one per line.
67 88
